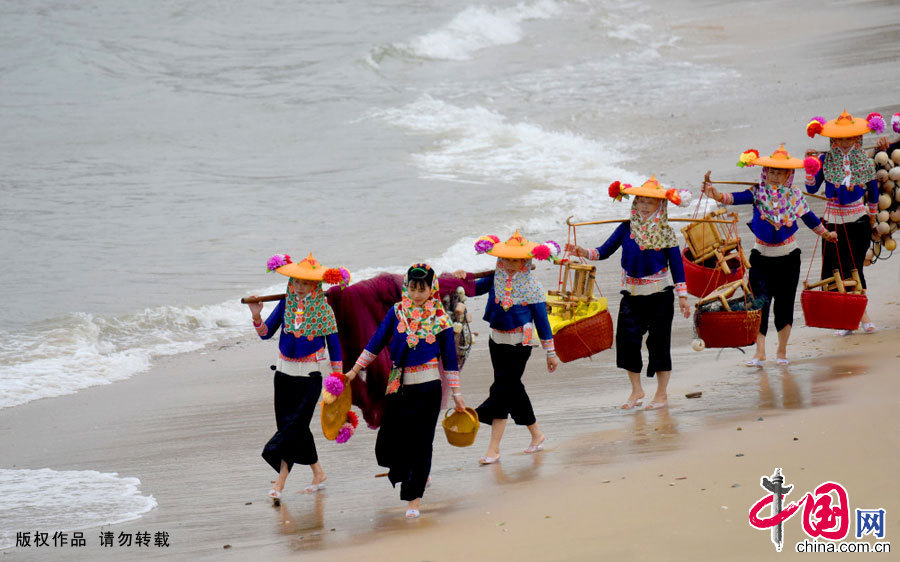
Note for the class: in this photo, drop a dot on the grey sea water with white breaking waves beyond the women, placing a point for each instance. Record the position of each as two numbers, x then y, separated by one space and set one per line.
154 155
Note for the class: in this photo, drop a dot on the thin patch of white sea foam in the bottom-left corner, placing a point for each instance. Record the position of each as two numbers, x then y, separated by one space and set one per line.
48 500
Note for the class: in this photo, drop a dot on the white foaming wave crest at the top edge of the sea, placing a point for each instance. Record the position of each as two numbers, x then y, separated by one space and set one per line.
476 28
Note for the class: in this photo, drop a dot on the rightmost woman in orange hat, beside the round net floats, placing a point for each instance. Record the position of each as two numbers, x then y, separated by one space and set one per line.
850 183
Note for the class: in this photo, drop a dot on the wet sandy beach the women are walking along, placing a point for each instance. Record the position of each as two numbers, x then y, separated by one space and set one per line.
674 484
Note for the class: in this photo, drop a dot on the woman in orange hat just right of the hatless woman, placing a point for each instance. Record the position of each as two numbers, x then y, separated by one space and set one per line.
516 306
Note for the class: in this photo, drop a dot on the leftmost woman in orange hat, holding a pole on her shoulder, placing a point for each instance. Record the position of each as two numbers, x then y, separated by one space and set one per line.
306 325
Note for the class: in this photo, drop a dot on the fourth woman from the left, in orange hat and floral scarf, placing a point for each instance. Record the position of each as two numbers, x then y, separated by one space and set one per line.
650 255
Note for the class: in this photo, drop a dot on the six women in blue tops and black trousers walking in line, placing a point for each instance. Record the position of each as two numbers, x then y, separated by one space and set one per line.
418 332
